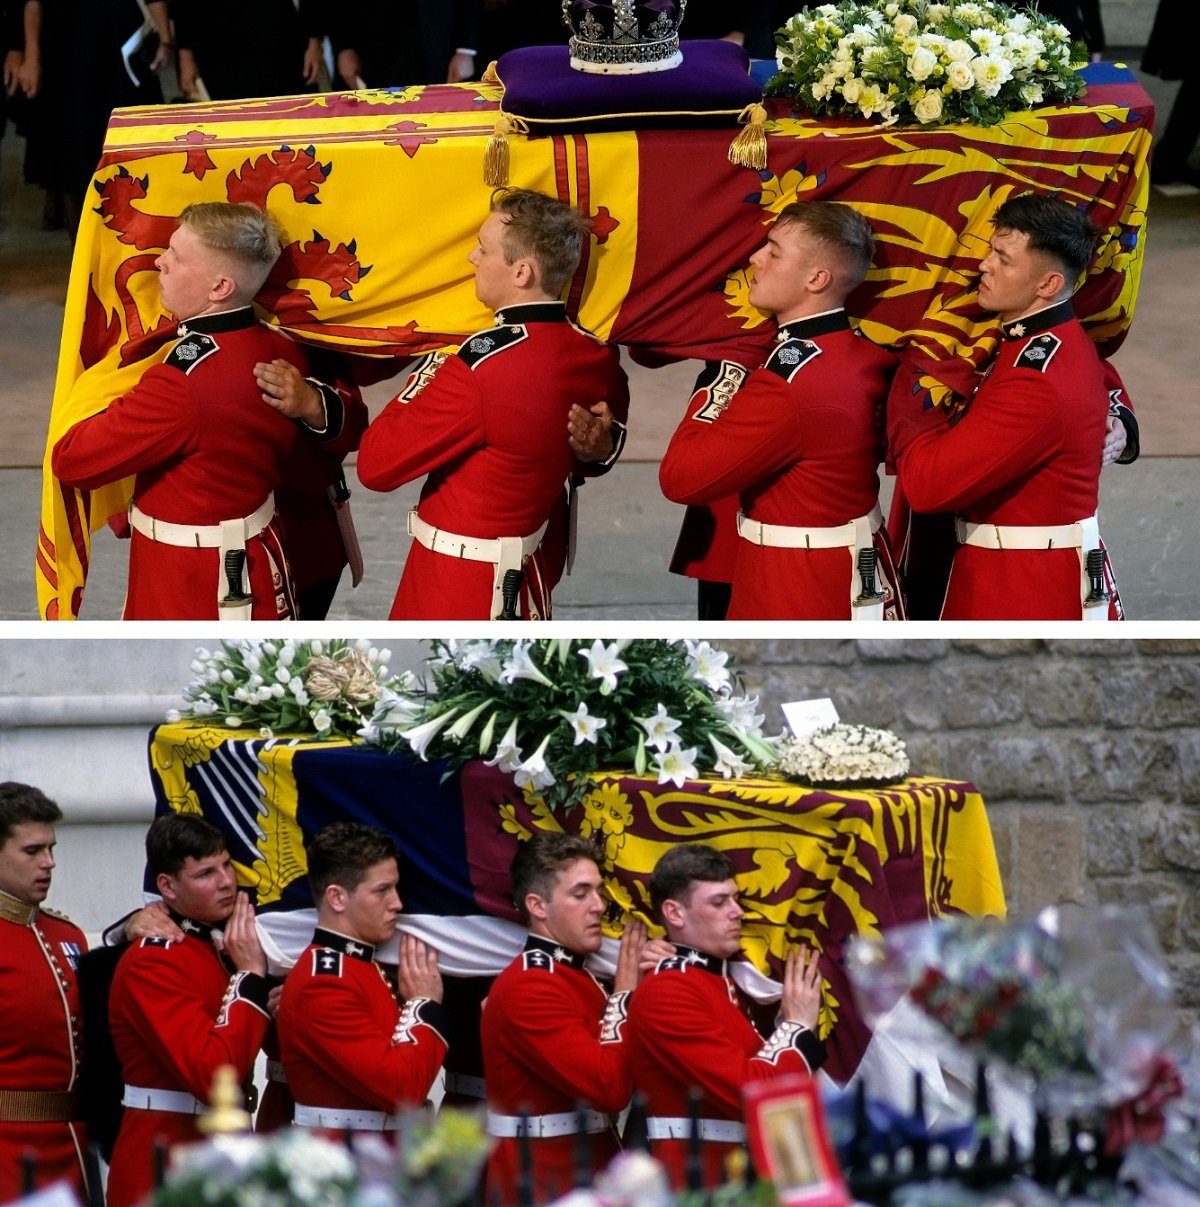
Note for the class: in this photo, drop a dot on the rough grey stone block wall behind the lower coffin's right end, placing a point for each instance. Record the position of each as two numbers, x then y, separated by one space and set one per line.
1087 754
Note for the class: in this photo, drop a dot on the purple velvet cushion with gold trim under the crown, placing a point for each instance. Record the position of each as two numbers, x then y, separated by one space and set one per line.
713 83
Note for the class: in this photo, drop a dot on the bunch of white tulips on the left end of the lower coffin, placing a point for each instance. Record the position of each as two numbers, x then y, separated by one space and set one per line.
330 689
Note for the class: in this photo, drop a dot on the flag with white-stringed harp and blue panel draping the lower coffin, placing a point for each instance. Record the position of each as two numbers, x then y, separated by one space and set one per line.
815 867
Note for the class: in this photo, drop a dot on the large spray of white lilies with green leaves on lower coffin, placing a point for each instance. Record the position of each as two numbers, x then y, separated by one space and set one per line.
552 712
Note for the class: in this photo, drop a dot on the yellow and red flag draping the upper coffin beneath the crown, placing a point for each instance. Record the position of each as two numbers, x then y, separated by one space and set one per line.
382 196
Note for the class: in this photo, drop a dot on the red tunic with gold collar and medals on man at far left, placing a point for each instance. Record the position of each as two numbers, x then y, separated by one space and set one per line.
39 1045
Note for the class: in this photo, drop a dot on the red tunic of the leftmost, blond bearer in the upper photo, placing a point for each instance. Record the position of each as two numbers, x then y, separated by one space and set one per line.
206 448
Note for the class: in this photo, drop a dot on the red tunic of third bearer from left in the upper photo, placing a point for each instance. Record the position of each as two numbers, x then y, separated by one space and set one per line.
799 441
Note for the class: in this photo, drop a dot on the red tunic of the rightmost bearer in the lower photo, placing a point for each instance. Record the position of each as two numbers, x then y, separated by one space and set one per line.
688 1031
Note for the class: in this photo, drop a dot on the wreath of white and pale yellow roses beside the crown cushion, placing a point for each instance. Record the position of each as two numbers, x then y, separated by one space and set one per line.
916 62
